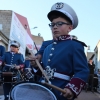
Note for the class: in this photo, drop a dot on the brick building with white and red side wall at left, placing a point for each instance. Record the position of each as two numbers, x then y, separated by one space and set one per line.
14 26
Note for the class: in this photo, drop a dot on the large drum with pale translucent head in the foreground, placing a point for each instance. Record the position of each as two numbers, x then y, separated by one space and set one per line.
31 91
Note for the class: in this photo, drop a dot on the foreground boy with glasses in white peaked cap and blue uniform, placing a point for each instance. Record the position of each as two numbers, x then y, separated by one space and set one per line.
65 54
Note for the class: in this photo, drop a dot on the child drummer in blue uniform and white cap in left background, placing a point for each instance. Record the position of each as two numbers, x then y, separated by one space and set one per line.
12 58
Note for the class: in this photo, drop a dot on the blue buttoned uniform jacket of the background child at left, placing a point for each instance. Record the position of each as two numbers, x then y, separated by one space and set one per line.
13 58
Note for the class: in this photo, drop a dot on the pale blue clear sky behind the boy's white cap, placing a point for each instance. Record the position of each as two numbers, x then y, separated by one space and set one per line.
36 13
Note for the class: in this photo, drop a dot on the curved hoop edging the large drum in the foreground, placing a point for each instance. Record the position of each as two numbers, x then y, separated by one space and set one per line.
31 82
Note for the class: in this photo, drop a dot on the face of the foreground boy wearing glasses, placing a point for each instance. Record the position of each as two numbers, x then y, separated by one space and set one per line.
59 30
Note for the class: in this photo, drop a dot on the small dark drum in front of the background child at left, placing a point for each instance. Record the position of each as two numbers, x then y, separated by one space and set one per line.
8 77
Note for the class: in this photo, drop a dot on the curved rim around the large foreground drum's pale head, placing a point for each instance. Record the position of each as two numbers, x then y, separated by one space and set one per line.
32 82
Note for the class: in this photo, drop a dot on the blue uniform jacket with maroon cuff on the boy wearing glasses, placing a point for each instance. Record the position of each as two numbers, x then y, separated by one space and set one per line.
67 57
